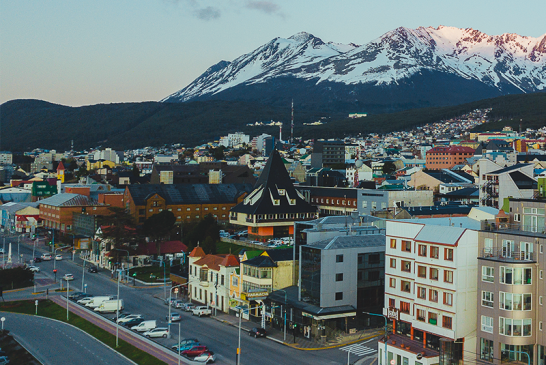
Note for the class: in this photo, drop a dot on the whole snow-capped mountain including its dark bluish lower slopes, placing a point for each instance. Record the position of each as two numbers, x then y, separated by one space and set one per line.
460 64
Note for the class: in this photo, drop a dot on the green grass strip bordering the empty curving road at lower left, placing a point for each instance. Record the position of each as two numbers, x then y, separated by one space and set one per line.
47 308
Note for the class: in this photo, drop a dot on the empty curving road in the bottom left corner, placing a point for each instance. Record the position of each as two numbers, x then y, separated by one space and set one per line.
56 343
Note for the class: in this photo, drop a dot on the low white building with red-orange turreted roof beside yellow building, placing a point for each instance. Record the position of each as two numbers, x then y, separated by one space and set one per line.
209 278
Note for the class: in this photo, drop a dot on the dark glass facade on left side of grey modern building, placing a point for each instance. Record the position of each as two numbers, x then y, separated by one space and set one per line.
310 274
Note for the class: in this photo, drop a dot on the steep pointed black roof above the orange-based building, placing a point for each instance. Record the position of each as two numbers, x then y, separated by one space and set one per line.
274 192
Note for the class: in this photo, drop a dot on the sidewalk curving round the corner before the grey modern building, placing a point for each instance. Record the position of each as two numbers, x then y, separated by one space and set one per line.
299 343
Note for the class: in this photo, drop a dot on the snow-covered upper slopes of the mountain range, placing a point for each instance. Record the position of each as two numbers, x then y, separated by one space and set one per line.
395 56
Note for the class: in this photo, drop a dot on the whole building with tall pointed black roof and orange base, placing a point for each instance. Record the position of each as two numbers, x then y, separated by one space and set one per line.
271 209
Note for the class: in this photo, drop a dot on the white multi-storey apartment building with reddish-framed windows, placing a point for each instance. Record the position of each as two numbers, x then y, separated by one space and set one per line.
430 289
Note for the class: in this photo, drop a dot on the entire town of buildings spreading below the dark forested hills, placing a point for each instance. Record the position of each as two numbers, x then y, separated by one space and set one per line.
433 235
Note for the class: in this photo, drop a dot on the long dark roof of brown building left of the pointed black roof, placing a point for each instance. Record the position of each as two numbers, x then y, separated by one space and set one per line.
189 193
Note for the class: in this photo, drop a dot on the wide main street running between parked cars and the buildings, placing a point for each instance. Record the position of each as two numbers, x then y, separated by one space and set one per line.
219 337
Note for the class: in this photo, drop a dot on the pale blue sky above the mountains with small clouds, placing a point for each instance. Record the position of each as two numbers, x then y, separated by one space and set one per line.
105 51
